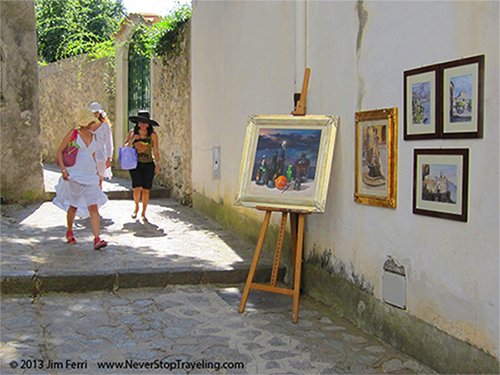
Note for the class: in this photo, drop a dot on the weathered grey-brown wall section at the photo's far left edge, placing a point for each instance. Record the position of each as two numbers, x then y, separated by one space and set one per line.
21 172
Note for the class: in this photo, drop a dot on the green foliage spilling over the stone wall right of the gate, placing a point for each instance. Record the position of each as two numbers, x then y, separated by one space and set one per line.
160 38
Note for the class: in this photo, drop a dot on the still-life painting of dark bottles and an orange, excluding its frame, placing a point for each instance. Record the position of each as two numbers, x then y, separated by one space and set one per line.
285 161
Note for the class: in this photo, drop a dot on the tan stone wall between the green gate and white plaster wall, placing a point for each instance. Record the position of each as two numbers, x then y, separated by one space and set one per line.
171 107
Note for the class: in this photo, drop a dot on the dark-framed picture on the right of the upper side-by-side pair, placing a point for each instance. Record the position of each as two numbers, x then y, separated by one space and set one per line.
462 91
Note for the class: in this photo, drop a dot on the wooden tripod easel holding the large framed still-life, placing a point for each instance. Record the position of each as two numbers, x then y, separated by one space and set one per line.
297 219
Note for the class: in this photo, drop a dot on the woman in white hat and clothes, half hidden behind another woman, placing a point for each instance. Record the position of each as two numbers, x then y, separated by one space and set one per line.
104 136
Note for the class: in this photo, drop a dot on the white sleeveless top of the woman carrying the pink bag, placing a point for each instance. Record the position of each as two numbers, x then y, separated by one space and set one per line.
84 171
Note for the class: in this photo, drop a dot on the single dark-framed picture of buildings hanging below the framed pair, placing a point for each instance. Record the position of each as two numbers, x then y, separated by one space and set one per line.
440 183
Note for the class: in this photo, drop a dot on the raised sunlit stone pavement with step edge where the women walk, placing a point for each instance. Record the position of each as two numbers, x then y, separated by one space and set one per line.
176 245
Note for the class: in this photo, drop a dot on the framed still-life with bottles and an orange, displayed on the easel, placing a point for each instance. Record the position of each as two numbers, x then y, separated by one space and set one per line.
287 161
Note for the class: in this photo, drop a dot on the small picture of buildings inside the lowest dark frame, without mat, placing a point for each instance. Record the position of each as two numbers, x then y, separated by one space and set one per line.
439 183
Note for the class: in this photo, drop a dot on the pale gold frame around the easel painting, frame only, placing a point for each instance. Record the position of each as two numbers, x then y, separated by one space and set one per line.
313 200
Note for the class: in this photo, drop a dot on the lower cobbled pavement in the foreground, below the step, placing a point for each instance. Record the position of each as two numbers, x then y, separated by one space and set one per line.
178 326
